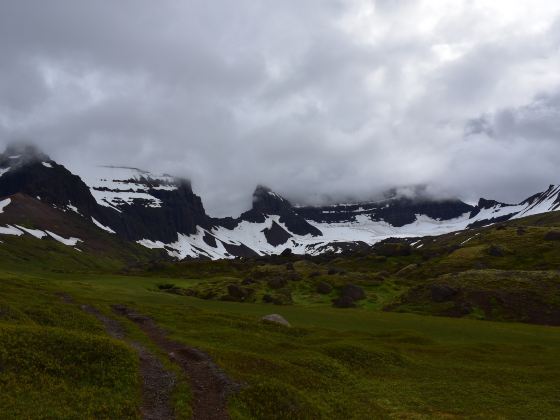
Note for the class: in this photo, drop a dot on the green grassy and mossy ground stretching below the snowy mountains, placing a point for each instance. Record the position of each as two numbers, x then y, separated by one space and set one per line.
363 341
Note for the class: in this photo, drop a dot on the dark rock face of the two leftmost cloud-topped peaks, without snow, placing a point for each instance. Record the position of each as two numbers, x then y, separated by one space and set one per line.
35 174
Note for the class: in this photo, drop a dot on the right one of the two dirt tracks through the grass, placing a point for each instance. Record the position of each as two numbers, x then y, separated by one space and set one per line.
210 386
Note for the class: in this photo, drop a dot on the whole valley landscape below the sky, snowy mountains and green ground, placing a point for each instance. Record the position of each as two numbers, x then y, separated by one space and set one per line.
404 309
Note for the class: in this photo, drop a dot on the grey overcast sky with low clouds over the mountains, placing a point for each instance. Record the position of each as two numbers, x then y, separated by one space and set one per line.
313 98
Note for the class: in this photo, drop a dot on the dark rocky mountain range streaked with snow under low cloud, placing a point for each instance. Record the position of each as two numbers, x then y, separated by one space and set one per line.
112 205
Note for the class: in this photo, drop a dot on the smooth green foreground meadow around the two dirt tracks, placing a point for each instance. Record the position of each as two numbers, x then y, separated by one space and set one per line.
333 363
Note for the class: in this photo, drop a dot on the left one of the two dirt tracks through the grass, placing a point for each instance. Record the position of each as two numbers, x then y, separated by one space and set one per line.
157 383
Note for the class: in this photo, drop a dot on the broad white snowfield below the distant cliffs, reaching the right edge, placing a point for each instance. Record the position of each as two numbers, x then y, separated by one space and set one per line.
362 228
